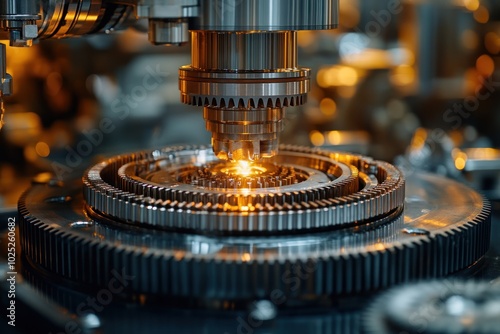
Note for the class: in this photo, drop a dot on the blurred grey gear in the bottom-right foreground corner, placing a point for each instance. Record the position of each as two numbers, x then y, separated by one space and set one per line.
445 307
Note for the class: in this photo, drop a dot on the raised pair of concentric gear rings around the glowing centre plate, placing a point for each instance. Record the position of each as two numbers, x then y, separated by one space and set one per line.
332 195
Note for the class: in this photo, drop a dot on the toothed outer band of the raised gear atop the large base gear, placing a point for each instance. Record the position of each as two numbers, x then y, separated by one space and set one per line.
110 189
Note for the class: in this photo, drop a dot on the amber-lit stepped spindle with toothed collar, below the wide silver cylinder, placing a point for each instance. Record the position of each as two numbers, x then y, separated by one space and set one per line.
237 74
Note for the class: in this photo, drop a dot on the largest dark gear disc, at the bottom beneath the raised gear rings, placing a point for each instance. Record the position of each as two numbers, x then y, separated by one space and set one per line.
58 237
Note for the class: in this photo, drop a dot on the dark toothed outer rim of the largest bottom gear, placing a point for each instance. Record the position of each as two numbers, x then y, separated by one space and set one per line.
89 260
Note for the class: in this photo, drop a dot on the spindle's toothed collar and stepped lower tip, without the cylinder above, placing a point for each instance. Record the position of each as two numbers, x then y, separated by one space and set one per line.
236 94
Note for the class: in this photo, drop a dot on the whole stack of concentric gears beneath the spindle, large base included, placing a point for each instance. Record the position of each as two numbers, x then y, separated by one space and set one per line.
307 225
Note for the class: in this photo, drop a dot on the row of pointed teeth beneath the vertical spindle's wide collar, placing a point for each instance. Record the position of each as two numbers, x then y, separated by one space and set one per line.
244 102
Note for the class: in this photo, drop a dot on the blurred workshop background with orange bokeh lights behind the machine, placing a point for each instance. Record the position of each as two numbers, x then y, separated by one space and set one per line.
415 83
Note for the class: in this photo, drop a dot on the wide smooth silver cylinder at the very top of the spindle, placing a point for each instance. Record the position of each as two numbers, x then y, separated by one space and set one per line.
267 15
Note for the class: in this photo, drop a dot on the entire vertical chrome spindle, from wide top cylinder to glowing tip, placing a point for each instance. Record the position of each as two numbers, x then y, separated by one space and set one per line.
244 68
